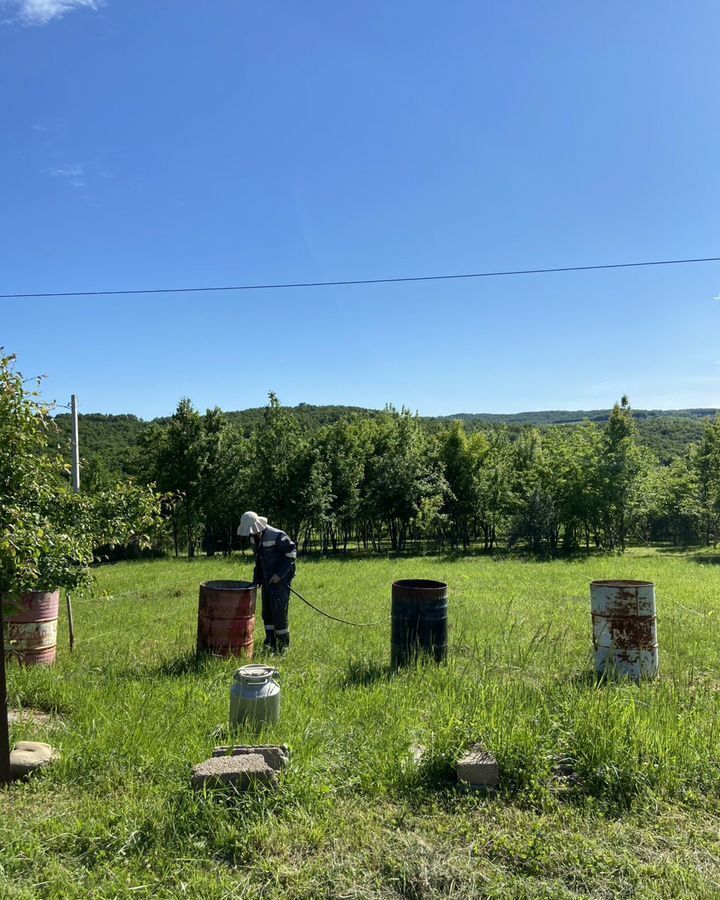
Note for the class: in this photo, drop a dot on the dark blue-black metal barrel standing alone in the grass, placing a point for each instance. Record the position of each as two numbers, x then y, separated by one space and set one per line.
419 621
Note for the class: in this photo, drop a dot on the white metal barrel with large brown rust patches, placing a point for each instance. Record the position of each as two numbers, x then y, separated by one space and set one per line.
624 628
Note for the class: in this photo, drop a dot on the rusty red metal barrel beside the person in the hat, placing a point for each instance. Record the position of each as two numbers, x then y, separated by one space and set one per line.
226 618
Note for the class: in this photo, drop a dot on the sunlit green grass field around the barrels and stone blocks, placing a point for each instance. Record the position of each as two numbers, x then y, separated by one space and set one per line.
606 790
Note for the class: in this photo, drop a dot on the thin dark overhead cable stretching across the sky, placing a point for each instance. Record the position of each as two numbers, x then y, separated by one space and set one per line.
357 281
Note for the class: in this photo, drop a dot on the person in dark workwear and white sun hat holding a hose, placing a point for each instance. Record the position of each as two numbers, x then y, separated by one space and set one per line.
275 557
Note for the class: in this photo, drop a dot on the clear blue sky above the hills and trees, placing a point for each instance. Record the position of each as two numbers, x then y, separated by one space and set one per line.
179 143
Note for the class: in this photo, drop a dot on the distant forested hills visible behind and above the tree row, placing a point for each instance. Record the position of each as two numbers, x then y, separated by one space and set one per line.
111 442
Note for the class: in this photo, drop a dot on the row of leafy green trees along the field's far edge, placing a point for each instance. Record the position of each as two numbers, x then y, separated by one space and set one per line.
387 481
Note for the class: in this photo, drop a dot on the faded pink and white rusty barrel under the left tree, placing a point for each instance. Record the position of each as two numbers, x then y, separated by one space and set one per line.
31 627
